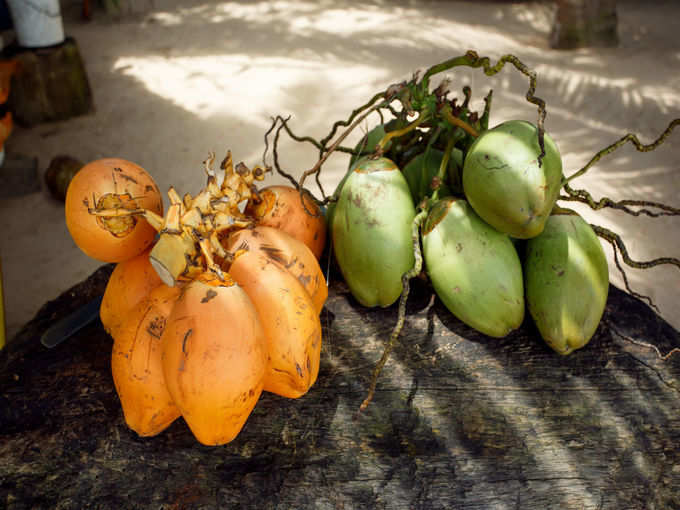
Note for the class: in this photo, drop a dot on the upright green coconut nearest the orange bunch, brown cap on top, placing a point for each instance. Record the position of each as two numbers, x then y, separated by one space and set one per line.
371 231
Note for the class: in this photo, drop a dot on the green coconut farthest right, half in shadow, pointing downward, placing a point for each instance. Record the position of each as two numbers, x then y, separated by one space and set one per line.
567 281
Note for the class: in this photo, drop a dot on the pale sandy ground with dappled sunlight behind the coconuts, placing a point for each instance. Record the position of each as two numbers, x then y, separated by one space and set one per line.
175 79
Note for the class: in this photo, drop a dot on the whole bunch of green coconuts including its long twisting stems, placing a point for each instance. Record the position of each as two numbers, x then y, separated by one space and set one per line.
433 190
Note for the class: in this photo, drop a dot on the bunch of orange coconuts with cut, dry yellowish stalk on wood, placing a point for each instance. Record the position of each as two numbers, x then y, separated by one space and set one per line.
212 303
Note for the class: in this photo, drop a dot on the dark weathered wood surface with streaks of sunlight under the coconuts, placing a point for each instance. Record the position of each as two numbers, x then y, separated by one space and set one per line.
459 421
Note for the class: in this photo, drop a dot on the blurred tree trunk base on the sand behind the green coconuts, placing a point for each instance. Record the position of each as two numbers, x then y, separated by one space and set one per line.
582 23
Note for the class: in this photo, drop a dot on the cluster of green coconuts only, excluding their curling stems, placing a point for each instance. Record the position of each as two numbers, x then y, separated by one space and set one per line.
472 218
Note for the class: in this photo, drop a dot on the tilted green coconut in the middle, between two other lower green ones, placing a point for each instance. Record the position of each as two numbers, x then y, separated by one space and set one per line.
474 269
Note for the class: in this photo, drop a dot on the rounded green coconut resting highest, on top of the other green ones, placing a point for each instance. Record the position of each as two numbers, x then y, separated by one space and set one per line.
505 185
